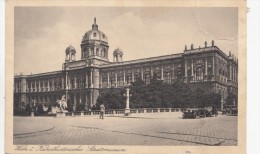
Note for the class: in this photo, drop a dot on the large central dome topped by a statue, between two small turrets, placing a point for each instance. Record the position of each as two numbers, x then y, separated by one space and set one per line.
94 35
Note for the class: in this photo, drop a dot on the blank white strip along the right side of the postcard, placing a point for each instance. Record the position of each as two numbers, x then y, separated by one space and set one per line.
253 78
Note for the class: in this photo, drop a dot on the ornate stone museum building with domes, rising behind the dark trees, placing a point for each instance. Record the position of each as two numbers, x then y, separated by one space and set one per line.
205 67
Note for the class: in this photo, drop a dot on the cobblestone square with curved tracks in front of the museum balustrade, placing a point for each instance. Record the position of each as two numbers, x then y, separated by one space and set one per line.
149 129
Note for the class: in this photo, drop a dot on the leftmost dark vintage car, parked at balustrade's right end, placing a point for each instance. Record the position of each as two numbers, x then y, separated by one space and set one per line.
194 113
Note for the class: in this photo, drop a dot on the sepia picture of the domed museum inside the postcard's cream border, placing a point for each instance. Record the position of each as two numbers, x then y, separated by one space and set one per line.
97 76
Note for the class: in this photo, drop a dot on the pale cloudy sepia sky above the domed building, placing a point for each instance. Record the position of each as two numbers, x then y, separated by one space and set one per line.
43 33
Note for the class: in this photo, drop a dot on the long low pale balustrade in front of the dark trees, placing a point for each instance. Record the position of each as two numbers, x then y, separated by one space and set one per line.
118 112
